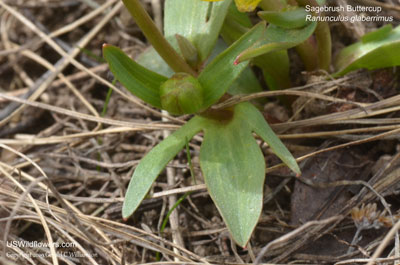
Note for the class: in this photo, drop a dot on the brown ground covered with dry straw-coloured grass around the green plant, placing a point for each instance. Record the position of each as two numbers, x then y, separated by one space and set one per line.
66 156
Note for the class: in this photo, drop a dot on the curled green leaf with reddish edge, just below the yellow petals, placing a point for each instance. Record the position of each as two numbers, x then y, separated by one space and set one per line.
277 38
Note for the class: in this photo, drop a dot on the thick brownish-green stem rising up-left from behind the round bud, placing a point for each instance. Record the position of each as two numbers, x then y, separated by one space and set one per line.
160 44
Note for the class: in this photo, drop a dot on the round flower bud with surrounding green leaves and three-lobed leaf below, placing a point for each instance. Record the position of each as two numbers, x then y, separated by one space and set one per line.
231 161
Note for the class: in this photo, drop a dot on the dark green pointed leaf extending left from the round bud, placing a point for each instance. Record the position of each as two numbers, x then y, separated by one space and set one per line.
140 81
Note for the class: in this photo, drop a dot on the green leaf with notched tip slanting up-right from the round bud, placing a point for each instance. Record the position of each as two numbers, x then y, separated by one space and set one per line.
218 76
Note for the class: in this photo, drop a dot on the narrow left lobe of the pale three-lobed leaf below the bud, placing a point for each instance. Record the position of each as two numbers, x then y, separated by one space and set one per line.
154 162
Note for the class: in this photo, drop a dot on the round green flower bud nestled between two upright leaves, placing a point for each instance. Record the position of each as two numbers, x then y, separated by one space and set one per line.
181 94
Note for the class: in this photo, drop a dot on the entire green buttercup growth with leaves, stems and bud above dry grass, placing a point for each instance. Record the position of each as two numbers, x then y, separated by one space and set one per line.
188 70
